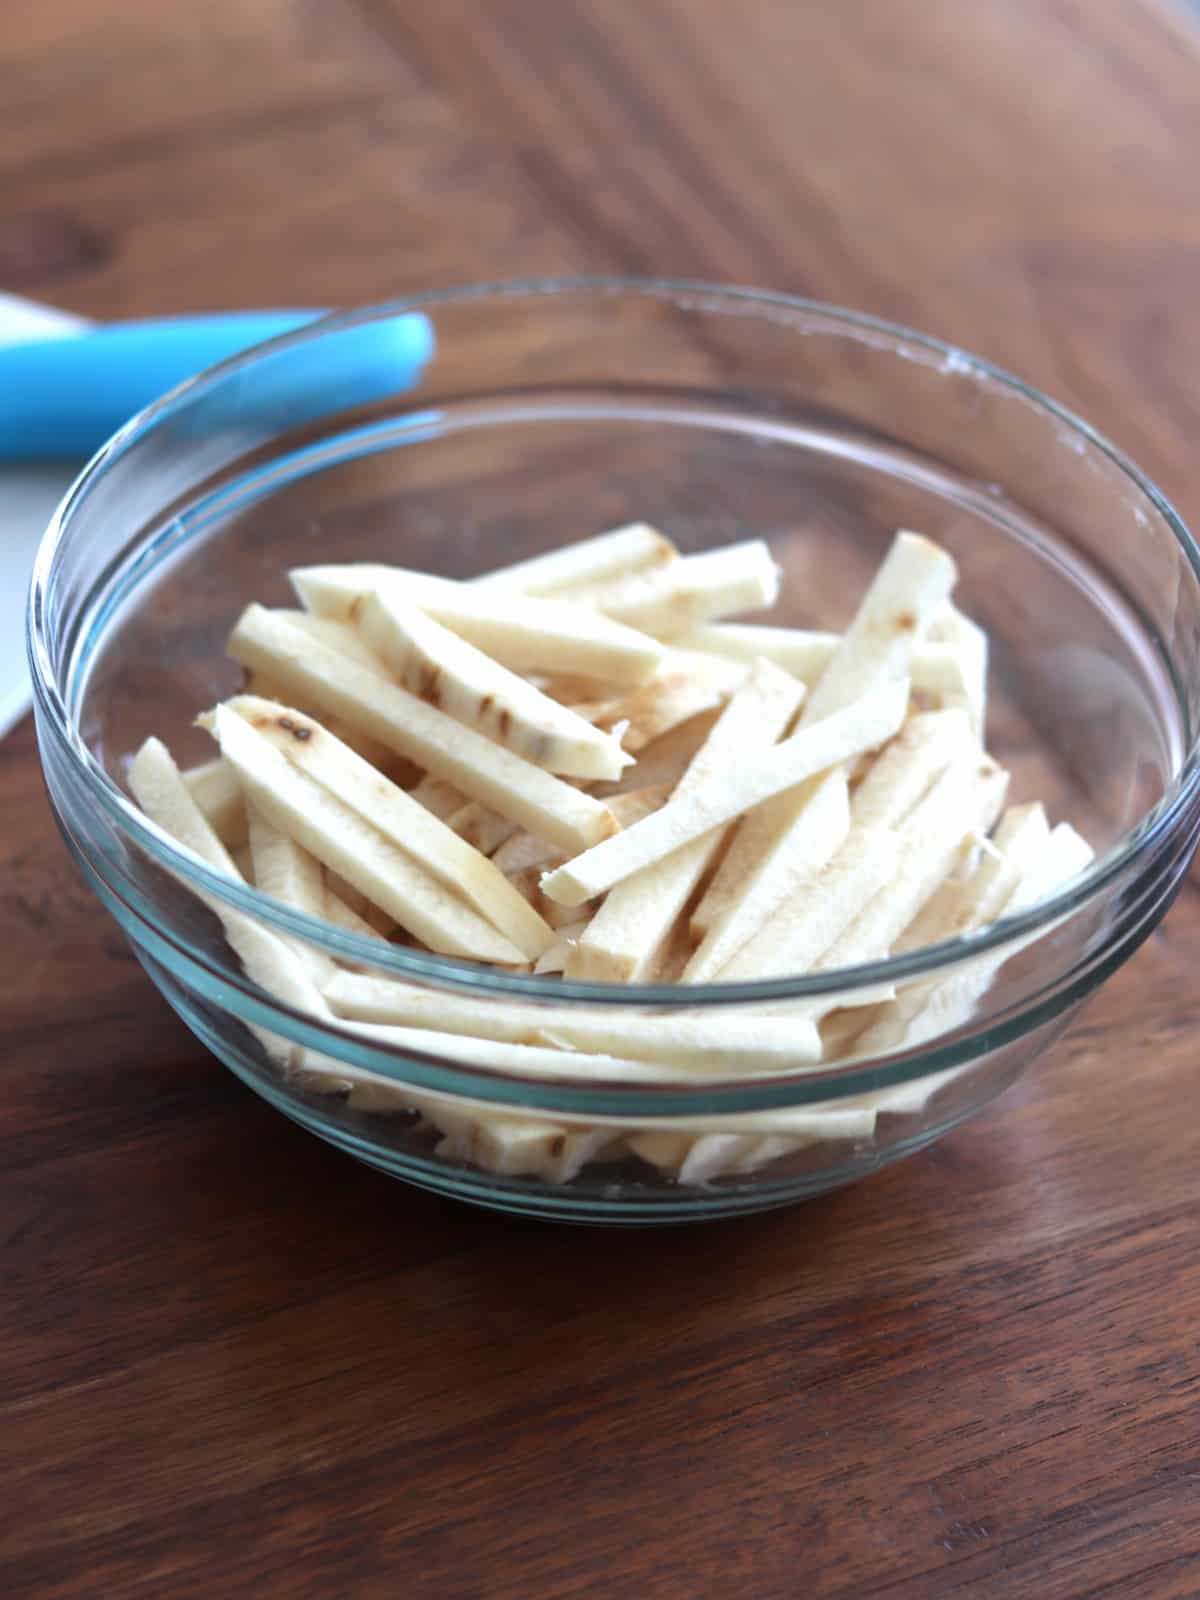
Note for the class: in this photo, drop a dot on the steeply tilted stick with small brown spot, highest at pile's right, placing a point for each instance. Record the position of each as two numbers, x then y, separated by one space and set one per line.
906 594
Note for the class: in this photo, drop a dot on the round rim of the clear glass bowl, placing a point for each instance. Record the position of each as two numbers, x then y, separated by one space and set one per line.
1170 814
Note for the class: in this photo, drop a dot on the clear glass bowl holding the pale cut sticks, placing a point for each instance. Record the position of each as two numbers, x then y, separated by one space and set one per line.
546 414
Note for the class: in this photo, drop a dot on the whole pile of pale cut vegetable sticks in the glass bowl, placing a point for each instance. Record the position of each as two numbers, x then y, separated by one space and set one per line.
575 766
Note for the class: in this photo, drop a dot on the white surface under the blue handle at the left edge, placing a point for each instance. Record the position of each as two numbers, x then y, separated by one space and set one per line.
28 497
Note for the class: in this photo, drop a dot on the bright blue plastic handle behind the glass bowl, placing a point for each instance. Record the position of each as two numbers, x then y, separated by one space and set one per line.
62 398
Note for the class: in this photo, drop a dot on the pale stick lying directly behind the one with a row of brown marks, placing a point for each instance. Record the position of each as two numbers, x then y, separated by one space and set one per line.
522 634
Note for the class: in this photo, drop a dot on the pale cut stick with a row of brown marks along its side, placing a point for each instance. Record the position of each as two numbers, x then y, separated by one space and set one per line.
473 689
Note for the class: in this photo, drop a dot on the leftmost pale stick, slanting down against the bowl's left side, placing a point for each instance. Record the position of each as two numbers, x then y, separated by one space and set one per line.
266 958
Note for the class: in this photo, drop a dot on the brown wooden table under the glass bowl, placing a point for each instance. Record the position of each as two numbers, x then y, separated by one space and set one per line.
236 1364
